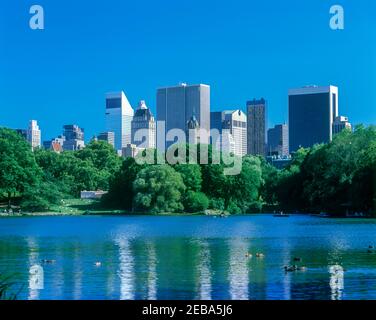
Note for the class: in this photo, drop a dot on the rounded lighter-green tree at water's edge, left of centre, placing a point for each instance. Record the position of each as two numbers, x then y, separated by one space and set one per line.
158 189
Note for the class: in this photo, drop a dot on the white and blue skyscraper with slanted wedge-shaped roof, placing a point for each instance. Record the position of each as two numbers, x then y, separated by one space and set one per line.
119 115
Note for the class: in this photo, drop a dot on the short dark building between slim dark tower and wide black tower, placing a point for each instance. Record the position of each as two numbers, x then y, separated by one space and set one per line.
278 140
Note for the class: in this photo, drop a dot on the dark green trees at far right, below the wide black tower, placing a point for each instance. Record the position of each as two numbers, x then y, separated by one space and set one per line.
336 178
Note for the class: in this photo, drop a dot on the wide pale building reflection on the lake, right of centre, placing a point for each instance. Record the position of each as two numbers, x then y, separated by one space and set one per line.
238 270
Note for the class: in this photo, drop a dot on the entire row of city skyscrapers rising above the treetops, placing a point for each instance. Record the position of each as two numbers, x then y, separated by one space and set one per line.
313 117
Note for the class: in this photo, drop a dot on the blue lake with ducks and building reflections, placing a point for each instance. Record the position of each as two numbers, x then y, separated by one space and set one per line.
189 257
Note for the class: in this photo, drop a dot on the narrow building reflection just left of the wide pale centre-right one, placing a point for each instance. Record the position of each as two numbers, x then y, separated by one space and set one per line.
204 273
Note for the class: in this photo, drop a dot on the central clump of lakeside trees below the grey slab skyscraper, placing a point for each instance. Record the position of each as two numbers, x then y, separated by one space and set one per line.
192 188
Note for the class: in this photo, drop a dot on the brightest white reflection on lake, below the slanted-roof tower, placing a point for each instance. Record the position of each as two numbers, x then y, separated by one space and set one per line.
126 269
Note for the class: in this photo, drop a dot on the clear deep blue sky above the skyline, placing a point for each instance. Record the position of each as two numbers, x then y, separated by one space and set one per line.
243 49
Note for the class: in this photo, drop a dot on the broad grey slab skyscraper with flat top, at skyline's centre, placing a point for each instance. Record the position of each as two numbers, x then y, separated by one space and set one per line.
177 105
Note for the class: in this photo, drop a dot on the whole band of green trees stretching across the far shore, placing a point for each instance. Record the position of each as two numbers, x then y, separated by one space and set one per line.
337 178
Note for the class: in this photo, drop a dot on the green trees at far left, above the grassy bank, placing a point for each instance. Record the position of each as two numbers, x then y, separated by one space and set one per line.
43 178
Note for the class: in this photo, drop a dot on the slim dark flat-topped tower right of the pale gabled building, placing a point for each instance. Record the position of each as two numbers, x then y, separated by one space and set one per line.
256 127
